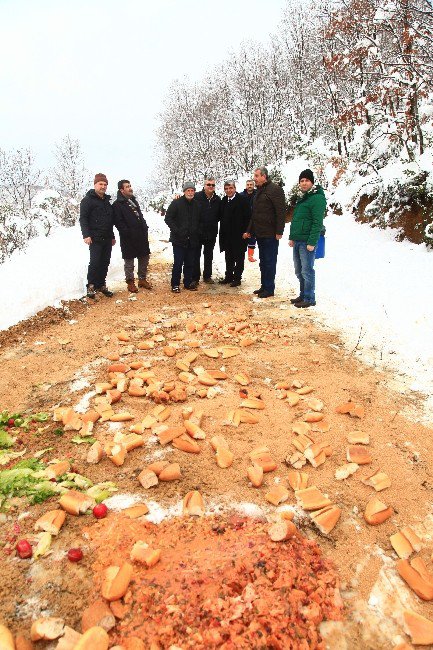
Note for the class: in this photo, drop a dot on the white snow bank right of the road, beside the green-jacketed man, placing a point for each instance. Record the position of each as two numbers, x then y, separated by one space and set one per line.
373 289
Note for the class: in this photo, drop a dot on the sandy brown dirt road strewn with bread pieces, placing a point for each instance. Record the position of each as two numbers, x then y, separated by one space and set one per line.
56 358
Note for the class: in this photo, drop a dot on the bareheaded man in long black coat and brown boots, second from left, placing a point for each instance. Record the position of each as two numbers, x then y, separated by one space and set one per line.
133 232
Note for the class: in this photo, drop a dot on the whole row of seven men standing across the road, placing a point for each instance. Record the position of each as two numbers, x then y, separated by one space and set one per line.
196 220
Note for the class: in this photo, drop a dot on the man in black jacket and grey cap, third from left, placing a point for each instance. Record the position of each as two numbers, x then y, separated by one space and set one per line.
183 219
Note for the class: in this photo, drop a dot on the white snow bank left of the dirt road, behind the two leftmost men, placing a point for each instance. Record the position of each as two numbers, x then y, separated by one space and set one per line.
54 268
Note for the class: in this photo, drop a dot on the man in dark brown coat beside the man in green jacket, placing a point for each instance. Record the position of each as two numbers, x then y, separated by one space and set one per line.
267 225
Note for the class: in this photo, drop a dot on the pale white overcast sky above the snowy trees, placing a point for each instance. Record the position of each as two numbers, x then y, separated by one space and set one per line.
99 71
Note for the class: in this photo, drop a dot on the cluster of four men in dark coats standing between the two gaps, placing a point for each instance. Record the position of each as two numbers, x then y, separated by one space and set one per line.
256 214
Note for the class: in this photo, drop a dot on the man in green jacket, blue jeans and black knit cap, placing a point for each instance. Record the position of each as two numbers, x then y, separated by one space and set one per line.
307 223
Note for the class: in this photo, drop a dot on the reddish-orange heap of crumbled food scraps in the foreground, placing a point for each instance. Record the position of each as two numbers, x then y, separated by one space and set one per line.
221 582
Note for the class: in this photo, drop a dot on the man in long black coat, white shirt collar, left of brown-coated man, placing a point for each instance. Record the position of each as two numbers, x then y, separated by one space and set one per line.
235 217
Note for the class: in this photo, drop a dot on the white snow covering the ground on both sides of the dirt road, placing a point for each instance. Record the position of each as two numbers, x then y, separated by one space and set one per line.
370 288
